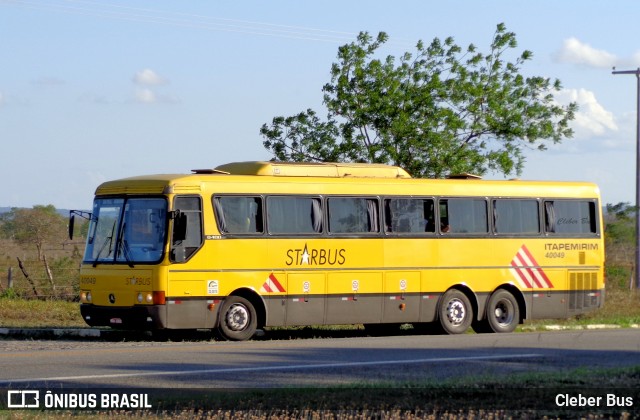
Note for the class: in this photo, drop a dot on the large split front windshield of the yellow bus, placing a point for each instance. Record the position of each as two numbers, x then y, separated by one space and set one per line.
127 230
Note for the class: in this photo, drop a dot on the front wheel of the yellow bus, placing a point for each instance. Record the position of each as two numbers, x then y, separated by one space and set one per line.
238 320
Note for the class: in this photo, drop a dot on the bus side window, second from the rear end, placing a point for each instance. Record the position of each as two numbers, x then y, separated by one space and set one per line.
516 217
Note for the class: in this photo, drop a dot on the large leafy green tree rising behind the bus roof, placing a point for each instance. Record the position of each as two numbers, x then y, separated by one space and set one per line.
439 110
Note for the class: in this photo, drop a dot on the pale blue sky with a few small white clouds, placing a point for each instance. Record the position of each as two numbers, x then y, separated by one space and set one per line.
97 90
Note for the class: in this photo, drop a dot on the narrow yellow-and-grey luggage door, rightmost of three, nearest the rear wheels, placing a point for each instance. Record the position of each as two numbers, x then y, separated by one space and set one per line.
401 299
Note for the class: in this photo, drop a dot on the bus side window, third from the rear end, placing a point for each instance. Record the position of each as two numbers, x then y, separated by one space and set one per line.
463 215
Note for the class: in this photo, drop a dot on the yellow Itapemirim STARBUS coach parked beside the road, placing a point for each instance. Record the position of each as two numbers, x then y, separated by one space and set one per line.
260 244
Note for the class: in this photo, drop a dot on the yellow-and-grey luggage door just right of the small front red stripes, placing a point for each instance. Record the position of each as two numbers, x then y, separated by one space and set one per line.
306 300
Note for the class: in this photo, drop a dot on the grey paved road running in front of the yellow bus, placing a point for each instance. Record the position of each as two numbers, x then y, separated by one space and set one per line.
328 361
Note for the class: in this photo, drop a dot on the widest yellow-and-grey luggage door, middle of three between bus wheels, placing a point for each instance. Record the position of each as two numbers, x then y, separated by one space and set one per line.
354 297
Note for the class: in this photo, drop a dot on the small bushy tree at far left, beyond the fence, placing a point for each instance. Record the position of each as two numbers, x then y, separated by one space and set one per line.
35 226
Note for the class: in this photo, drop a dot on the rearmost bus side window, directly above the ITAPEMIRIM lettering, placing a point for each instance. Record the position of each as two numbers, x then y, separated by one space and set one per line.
571 217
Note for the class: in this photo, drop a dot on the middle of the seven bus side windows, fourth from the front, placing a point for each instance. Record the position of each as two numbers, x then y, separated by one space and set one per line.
409 215
